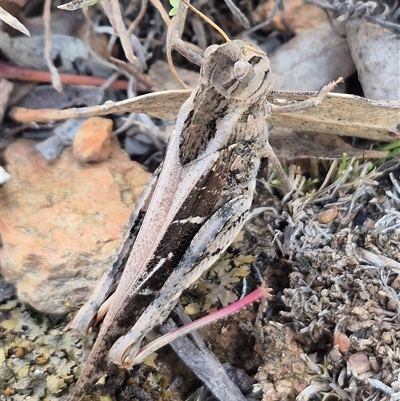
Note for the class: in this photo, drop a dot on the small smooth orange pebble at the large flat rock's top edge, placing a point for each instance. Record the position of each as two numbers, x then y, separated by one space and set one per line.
92 142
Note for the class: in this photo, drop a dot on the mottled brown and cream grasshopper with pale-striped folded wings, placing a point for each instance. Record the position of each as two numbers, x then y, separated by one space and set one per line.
193 207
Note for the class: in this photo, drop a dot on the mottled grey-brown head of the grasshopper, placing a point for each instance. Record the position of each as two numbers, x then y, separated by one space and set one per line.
238 70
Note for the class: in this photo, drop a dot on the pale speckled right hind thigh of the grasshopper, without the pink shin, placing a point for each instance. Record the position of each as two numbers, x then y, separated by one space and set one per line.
208 244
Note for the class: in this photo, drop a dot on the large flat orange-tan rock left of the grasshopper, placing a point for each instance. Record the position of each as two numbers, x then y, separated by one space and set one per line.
62 222
